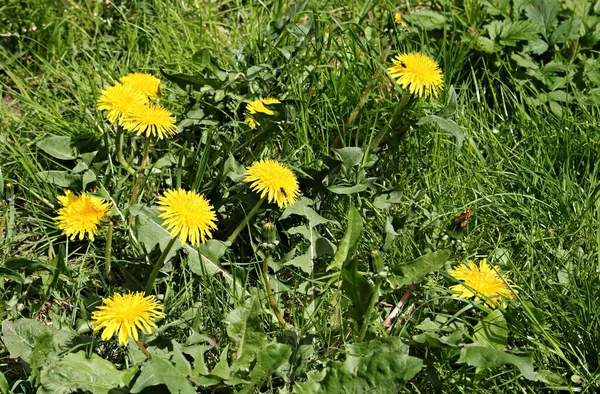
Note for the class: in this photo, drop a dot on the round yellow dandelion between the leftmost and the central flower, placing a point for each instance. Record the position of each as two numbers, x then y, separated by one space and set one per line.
188 215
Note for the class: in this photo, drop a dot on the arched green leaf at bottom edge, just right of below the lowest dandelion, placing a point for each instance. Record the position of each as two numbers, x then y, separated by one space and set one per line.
158 370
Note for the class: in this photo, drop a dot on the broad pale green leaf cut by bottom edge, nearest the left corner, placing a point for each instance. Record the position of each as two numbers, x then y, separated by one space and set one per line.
76 372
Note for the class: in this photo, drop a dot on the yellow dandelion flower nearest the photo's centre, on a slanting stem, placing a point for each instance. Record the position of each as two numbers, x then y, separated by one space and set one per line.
273 180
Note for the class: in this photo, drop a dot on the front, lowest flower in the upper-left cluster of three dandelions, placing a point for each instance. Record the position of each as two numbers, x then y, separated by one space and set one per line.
151 120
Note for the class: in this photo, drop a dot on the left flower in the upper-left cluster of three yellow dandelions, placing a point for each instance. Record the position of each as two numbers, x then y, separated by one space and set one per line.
118 100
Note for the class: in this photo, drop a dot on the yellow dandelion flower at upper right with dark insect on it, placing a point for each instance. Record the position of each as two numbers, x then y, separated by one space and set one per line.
419 73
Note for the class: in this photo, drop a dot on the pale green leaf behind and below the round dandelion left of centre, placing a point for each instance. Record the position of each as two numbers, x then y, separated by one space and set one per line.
150 233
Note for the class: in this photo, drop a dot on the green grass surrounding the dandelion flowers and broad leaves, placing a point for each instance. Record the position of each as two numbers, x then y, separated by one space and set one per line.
530 176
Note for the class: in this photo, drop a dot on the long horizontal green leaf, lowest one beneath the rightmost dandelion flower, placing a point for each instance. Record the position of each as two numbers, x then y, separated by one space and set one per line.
486 357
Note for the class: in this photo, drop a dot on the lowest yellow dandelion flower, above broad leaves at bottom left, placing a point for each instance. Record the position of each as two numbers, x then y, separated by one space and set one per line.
125 314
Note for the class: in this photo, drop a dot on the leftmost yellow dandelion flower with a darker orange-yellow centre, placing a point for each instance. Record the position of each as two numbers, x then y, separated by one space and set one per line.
81 214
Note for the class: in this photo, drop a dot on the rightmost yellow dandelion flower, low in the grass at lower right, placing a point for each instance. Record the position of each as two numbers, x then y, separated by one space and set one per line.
481 282
